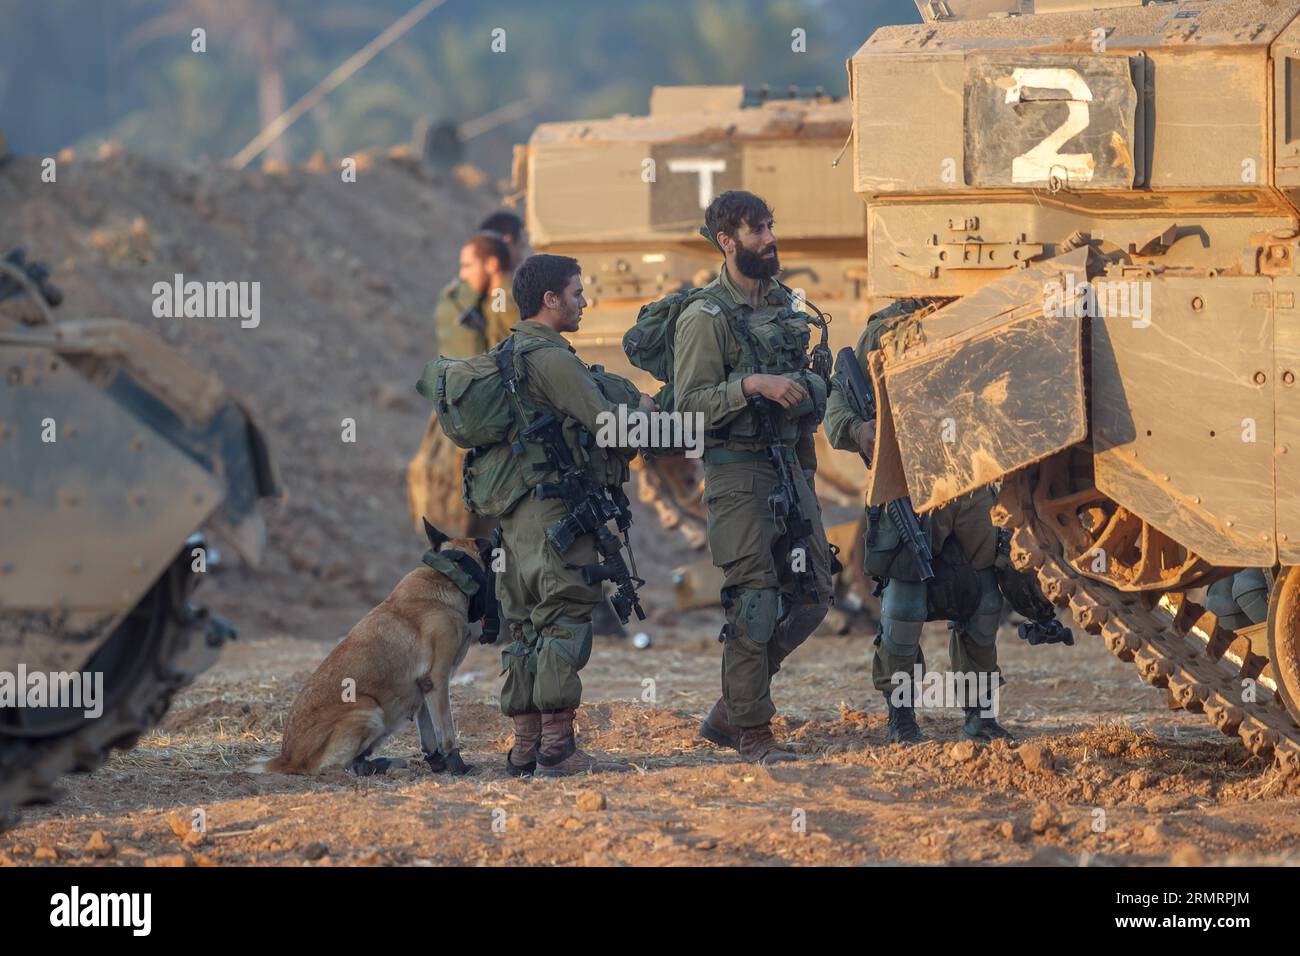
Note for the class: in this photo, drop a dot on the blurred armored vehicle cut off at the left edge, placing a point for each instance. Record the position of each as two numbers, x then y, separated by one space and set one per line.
115 457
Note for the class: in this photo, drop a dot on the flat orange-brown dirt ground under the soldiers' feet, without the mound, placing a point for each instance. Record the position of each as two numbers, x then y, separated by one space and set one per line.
1125 781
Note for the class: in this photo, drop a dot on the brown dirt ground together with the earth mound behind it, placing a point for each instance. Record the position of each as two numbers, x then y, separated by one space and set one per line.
349 279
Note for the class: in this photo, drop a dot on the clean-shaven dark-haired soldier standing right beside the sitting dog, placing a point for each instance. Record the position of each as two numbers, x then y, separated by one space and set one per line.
553 487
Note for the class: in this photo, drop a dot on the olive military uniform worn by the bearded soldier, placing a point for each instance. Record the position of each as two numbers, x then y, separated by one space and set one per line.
768 617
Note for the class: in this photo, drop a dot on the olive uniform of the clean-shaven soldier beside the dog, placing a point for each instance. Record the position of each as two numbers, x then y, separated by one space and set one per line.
543 595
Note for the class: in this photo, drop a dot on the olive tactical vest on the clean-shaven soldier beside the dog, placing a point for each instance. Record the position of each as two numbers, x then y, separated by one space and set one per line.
499 477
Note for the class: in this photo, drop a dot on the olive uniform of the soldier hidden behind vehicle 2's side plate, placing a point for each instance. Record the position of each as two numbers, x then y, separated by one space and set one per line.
963 525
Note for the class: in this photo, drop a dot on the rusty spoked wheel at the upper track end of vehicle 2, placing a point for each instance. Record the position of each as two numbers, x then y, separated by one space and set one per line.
1103 540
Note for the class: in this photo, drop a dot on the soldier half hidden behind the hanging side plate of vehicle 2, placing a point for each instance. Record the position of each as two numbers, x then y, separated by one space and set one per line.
965 589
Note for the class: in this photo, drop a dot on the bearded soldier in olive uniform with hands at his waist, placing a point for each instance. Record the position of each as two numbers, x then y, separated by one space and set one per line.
736 341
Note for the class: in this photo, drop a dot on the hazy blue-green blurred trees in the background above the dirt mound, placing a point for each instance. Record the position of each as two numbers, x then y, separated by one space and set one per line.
73 72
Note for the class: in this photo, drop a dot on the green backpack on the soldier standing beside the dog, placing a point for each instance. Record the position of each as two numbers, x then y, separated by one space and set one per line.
471 400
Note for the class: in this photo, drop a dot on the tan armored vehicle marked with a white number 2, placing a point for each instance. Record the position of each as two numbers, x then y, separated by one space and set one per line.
1099 215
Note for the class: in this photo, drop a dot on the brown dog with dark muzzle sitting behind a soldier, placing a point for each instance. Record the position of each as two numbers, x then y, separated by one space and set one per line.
396 665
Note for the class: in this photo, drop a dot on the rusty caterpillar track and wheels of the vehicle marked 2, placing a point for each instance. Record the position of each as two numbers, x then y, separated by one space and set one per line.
1172 641
